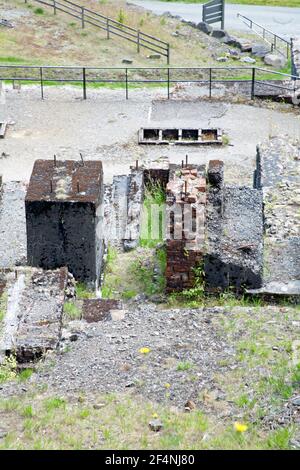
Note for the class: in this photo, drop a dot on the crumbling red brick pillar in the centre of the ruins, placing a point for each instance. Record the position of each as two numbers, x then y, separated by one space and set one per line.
185 214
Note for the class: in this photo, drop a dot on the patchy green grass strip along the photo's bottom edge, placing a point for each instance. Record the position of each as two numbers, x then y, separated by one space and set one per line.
53 423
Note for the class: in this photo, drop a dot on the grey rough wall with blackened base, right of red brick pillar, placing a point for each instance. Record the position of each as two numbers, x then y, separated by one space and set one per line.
234 234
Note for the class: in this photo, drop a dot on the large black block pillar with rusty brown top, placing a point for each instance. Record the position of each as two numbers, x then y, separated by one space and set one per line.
63 216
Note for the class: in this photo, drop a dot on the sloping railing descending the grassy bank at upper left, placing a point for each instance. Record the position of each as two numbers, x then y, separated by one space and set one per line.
110 26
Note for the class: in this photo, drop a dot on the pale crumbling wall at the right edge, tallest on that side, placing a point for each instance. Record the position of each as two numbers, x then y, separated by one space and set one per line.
278 176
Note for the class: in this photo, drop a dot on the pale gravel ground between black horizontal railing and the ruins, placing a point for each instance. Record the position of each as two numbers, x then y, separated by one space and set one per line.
105 127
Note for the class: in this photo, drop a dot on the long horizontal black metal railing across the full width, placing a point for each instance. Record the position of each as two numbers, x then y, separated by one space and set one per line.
123 76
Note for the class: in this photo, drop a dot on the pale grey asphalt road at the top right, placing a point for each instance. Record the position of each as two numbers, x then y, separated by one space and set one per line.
281 20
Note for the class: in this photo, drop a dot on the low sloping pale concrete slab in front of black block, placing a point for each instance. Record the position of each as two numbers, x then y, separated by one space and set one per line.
33 321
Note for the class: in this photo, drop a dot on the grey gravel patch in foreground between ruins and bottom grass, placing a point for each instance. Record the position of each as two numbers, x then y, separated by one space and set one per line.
106 358
